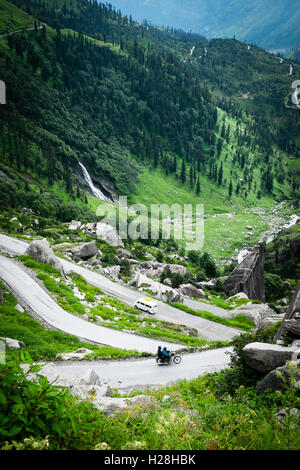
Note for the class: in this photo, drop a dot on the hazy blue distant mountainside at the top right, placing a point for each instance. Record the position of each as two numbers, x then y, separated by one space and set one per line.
272 25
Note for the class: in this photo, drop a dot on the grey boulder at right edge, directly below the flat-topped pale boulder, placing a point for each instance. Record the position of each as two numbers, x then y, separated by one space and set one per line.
280 378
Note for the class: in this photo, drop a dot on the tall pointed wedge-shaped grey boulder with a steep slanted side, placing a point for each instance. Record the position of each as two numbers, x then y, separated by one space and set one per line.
248 276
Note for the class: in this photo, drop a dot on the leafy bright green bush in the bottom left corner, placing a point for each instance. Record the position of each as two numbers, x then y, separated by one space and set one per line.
33 409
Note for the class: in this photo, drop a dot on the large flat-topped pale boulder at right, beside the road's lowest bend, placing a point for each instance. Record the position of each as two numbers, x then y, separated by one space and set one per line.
265 357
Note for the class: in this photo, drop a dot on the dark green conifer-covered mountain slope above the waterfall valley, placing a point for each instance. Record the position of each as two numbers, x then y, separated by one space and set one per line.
136 103
